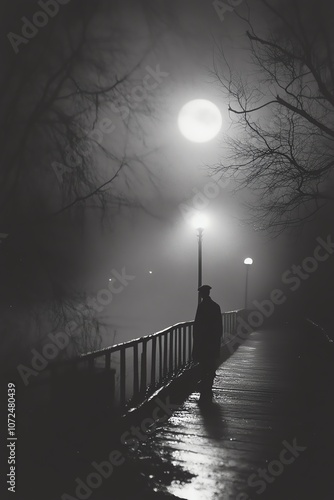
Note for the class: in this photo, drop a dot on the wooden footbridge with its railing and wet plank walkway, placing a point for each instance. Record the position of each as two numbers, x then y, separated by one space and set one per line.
125 422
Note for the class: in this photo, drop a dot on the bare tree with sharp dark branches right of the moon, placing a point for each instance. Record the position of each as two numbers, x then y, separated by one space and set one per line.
282 149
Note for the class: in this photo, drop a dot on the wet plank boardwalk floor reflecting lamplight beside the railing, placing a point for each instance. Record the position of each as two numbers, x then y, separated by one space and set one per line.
274 394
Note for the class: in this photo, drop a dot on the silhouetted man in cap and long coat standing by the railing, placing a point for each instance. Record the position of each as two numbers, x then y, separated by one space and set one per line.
208 330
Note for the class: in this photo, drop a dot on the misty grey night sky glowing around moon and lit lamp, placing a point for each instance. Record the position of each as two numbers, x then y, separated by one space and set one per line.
59 254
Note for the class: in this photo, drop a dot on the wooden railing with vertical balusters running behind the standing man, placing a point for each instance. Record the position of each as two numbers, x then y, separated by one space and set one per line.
134 369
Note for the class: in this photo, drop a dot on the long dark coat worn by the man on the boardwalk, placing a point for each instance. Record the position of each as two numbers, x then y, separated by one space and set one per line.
208 330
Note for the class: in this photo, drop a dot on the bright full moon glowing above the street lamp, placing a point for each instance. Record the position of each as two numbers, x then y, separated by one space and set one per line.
199 120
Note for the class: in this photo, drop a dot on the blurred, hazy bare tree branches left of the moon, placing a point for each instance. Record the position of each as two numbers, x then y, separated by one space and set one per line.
73 90
